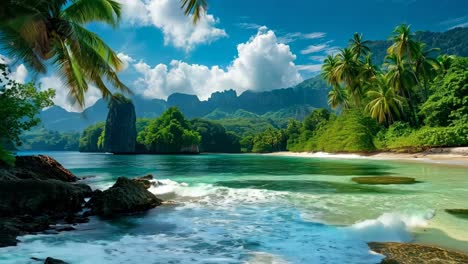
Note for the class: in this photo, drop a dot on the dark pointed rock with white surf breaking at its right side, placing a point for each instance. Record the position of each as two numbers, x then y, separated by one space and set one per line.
125 196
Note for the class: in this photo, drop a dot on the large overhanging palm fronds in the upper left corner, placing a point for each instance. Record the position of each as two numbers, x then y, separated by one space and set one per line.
52 32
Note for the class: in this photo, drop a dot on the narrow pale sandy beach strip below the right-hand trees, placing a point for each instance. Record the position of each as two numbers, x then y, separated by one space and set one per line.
445 156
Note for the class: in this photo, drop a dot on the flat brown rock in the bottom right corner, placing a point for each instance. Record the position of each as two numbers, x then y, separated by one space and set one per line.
399 253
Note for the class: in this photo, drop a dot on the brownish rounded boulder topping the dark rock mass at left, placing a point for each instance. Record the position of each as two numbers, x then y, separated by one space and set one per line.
41 168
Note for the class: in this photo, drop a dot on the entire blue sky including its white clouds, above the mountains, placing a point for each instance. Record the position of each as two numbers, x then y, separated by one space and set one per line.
250 44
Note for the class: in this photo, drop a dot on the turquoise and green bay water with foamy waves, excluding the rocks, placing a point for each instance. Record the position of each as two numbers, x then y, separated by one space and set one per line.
258 209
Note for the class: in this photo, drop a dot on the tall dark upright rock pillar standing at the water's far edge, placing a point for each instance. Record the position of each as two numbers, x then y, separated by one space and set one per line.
120 132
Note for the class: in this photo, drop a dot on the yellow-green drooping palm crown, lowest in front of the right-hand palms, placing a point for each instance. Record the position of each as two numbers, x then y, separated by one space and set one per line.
385 104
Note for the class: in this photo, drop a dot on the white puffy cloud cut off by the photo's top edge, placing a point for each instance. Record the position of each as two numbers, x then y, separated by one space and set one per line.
177 28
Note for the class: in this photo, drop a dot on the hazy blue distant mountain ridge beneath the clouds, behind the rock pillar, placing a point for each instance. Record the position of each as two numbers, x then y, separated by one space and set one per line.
311 93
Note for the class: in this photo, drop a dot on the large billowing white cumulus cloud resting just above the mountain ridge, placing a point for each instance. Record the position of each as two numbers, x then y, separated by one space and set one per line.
262 64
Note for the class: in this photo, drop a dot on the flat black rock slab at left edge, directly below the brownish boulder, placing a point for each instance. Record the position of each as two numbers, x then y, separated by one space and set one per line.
37 197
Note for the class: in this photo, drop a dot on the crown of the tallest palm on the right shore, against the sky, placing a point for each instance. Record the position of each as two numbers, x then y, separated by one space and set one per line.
403 43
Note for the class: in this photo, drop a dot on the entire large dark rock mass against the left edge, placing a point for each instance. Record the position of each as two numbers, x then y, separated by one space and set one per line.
35 194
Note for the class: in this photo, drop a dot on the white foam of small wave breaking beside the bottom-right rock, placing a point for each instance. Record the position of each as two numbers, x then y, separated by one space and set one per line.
388 227
